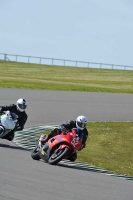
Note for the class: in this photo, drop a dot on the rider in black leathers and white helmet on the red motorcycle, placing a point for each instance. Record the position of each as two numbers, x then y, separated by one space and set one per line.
79 123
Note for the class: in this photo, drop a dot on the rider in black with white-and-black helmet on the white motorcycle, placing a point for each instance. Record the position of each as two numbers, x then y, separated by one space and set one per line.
19 110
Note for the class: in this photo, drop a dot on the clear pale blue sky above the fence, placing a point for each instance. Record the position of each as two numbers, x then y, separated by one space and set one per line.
84 30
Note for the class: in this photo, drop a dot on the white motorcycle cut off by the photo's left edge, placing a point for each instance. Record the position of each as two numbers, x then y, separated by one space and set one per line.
8 122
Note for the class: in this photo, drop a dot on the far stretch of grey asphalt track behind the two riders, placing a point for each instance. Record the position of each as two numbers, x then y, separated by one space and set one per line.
55 106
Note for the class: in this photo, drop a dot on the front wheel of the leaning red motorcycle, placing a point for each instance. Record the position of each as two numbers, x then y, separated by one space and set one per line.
58 155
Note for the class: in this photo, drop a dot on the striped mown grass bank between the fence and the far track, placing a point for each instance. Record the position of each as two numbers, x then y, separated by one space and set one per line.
21 75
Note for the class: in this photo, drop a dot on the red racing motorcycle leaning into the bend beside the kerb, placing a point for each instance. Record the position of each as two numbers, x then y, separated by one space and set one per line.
58 147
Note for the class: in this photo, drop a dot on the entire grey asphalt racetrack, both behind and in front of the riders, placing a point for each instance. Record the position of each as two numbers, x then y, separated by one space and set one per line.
22 178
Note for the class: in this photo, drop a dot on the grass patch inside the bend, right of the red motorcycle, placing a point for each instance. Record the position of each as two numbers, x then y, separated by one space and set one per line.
110 146
